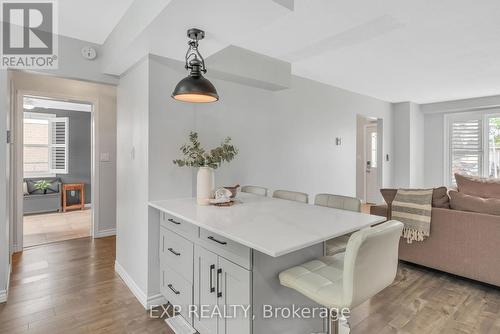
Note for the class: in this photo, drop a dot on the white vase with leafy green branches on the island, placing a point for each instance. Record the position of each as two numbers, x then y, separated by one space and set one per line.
206 161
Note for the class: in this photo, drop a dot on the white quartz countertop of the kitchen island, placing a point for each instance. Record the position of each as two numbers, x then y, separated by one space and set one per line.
272 226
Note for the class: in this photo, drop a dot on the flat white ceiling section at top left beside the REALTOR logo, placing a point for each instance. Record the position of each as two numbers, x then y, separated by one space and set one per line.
90 20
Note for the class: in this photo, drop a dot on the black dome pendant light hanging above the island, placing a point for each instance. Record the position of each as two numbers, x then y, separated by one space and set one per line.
195 88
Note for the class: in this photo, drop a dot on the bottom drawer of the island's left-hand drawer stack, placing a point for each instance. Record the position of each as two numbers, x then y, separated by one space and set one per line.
177 290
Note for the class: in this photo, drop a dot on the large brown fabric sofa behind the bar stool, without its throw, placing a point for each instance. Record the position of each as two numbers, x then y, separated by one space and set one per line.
463 243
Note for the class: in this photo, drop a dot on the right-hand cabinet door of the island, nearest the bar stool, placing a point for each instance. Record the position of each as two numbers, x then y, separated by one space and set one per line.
234 293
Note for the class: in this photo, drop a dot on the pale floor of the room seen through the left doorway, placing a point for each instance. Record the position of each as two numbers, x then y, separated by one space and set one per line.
50 227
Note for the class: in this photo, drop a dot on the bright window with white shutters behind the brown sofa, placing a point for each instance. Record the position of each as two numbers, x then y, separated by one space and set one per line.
472 145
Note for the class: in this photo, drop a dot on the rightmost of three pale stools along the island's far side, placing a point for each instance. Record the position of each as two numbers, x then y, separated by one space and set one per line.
338 244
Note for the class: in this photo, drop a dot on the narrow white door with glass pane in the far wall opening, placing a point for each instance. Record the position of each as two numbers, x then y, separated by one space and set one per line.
371 164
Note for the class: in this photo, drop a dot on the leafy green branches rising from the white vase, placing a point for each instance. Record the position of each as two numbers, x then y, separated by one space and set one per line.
196 156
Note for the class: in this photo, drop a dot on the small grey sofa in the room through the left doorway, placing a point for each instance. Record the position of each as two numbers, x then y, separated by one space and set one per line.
36 201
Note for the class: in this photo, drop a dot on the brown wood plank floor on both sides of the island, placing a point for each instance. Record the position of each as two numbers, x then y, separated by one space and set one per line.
71 287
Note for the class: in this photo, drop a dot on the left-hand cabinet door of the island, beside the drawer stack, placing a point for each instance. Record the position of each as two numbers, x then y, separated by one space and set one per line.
205 286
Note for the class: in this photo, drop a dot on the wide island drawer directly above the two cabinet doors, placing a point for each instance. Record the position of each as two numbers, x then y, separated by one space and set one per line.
241 255
